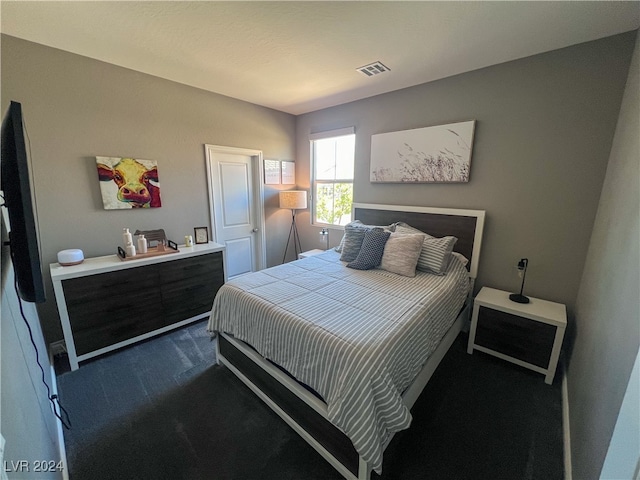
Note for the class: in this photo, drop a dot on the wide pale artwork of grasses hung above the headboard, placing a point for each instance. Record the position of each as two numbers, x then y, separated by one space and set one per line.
423 155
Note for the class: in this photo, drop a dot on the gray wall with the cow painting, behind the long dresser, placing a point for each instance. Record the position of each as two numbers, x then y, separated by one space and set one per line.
76 108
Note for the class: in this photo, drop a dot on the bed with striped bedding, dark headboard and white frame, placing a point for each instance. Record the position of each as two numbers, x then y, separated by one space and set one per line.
342 354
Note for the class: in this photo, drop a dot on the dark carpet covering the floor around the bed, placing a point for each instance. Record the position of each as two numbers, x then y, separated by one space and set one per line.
162 409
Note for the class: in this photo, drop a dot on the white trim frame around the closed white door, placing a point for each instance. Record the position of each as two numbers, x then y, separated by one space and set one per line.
258 197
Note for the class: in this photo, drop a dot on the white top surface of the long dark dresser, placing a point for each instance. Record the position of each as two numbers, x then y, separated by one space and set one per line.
112 263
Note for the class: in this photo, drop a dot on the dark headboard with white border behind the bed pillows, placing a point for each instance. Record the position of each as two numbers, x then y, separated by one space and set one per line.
465 225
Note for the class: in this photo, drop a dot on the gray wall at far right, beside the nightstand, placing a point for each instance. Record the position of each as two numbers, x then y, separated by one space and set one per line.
607 333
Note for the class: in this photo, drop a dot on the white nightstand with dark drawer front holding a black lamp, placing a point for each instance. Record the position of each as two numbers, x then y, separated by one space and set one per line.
529 334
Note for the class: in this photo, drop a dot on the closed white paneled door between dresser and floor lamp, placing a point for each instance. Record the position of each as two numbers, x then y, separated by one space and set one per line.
235 201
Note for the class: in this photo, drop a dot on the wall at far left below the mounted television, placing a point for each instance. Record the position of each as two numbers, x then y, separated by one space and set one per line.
27 422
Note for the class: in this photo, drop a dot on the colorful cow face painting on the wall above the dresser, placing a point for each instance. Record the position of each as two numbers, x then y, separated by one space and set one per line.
128 183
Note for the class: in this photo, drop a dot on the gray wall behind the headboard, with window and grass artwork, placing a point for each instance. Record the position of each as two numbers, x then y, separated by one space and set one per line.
542 140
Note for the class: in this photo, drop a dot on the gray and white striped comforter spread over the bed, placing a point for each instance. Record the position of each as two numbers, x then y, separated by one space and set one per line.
358 338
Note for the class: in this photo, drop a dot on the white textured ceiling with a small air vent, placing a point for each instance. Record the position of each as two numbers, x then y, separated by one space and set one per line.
299 57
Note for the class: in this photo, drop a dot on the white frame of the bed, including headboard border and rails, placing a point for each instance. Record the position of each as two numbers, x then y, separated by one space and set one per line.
410 395
